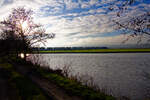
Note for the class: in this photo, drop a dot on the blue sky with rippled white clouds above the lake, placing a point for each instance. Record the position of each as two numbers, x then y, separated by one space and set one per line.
78 22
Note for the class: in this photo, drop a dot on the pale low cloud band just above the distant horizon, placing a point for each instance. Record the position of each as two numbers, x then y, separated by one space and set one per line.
95 41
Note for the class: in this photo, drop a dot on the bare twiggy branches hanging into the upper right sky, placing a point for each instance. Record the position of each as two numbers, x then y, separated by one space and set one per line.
135 25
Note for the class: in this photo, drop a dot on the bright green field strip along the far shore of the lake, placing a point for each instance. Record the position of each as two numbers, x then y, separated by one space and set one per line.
98 51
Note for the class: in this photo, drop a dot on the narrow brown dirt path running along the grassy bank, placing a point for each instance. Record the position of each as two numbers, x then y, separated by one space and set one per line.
49 88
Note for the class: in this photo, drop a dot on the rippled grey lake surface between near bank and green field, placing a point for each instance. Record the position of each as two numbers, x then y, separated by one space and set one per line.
121 74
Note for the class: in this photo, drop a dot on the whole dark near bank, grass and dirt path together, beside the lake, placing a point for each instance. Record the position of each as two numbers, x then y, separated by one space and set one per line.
21 80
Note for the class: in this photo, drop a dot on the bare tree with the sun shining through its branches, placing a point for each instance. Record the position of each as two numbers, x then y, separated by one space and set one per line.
19 25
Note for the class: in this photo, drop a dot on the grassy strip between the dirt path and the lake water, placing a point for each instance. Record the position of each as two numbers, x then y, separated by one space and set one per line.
70 86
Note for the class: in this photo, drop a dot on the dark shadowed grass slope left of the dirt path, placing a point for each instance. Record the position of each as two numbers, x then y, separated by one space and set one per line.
20 86
